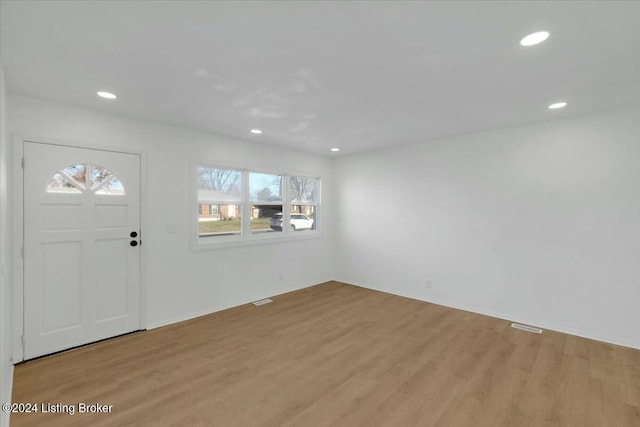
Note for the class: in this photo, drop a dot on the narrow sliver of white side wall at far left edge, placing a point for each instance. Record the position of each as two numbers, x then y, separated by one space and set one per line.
6 368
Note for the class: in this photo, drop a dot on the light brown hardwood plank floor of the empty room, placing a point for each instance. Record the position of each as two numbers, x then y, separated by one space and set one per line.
339 355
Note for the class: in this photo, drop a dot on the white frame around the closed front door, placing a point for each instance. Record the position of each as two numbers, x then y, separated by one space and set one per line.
17 221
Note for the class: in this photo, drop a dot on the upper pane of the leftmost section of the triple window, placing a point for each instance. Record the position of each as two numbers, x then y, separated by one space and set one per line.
216 185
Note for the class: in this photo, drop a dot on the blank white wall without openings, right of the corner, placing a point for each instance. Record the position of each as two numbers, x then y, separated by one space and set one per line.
538 224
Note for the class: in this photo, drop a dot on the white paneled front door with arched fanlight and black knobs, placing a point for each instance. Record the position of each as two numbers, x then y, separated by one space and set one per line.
81 246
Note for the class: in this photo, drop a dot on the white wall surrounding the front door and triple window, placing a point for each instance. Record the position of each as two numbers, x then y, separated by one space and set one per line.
181 283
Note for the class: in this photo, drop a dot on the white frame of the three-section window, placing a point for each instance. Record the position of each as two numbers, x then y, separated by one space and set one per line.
246 236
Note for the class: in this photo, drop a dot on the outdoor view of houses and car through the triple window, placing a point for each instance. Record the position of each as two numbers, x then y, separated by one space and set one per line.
233 202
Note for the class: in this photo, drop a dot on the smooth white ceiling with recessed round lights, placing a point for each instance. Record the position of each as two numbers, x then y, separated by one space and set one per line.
316 75
